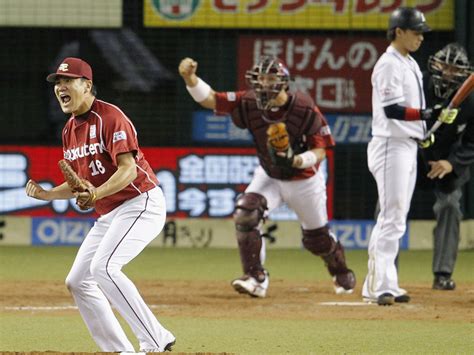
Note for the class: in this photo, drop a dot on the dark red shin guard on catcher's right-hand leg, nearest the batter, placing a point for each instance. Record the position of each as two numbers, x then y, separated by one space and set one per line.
321 243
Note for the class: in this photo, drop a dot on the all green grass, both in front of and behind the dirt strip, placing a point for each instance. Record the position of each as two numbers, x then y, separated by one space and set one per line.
20 331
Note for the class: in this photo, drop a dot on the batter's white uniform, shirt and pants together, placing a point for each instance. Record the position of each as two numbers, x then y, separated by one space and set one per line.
392 161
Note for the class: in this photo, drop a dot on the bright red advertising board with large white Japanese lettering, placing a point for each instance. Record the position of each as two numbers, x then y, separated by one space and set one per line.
197 182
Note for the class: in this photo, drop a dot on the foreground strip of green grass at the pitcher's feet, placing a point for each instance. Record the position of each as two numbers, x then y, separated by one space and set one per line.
68 334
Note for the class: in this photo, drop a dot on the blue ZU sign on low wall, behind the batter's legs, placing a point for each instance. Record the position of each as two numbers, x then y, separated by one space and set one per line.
355 234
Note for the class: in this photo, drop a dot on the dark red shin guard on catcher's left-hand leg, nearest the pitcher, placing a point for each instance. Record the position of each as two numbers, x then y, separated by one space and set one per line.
248 215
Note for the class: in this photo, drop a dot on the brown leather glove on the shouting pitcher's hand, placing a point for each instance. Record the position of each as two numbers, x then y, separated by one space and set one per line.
82 188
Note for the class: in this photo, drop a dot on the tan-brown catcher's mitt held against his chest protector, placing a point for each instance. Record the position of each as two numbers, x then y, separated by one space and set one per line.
278 143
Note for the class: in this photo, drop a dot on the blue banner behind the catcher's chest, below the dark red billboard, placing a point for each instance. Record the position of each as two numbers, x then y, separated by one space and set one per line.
211 128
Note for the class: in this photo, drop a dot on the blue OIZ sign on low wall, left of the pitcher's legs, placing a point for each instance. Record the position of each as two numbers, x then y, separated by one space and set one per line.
60 231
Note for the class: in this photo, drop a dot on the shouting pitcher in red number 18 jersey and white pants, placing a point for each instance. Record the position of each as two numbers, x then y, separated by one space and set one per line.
107 170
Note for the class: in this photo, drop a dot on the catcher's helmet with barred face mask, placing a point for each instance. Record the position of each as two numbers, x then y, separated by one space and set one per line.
268 78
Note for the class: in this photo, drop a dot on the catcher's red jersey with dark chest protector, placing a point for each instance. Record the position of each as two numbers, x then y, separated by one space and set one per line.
317 134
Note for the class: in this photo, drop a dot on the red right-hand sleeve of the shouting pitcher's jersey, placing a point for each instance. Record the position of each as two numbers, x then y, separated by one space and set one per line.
120 135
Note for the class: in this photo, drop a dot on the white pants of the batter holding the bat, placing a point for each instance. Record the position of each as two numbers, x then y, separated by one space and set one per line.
392 162
